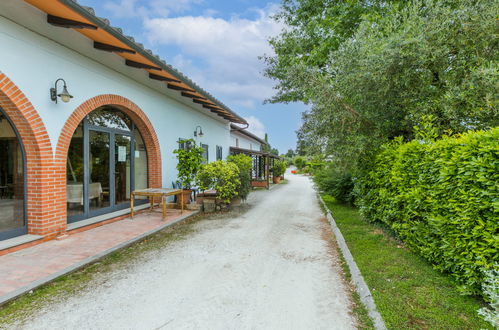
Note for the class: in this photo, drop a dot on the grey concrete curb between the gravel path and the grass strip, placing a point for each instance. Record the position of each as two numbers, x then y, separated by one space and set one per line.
360 285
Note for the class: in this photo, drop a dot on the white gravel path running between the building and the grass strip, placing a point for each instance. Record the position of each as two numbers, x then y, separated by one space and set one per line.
269 268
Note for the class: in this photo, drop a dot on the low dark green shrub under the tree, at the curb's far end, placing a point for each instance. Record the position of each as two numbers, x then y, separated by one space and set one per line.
336 183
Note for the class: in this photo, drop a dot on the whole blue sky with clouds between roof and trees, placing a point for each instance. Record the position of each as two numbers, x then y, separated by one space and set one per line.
216 43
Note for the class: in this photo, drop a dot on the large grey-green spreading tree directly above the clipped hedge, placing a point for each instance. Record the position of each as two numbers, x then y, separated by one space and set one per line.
425 58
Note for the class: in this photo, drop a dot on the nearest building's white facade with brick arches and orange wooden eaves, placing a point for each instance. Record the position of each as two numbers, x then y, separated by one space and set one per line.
63 164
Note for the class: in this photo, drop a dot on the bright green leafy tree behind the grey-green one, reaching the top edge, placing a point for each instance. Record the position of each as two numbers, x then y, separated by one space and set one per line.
314 28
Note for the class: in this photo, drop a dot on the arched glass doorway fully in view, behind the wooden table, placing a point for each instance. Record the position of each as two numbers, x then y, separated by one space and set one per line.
107 159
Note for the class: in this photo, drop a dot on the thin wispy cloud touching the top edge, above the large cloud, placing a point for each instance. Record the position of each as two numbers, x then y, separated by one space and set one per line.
153 8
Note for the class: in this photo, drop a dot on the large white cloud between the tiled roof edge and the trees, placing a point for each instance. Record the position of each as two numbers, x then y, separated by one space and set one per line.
224 52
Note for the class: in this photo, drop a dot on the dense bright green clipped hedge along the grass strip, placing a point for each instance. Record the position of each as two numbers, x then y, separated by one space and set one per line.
442 199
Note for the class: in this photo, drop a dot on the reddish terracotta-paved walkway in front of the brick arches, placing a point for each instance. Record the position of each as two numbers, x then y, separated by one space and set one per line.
23 269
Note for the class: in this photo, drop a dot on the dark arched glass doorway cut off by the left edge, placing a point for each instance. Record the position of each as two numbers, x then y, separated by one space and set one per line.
12 180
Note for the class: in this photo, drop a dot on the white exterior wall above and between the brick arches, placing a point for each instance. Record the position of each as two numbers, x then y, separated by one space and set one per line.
35 60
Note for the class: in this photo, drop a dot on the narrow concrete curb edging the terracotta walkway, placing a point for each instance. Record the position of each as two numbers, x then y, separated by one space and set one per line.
14 294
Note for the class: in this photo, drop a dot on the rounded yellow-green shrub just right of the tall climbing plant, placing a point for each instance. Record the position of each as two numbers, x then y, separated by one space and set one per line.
221 176
